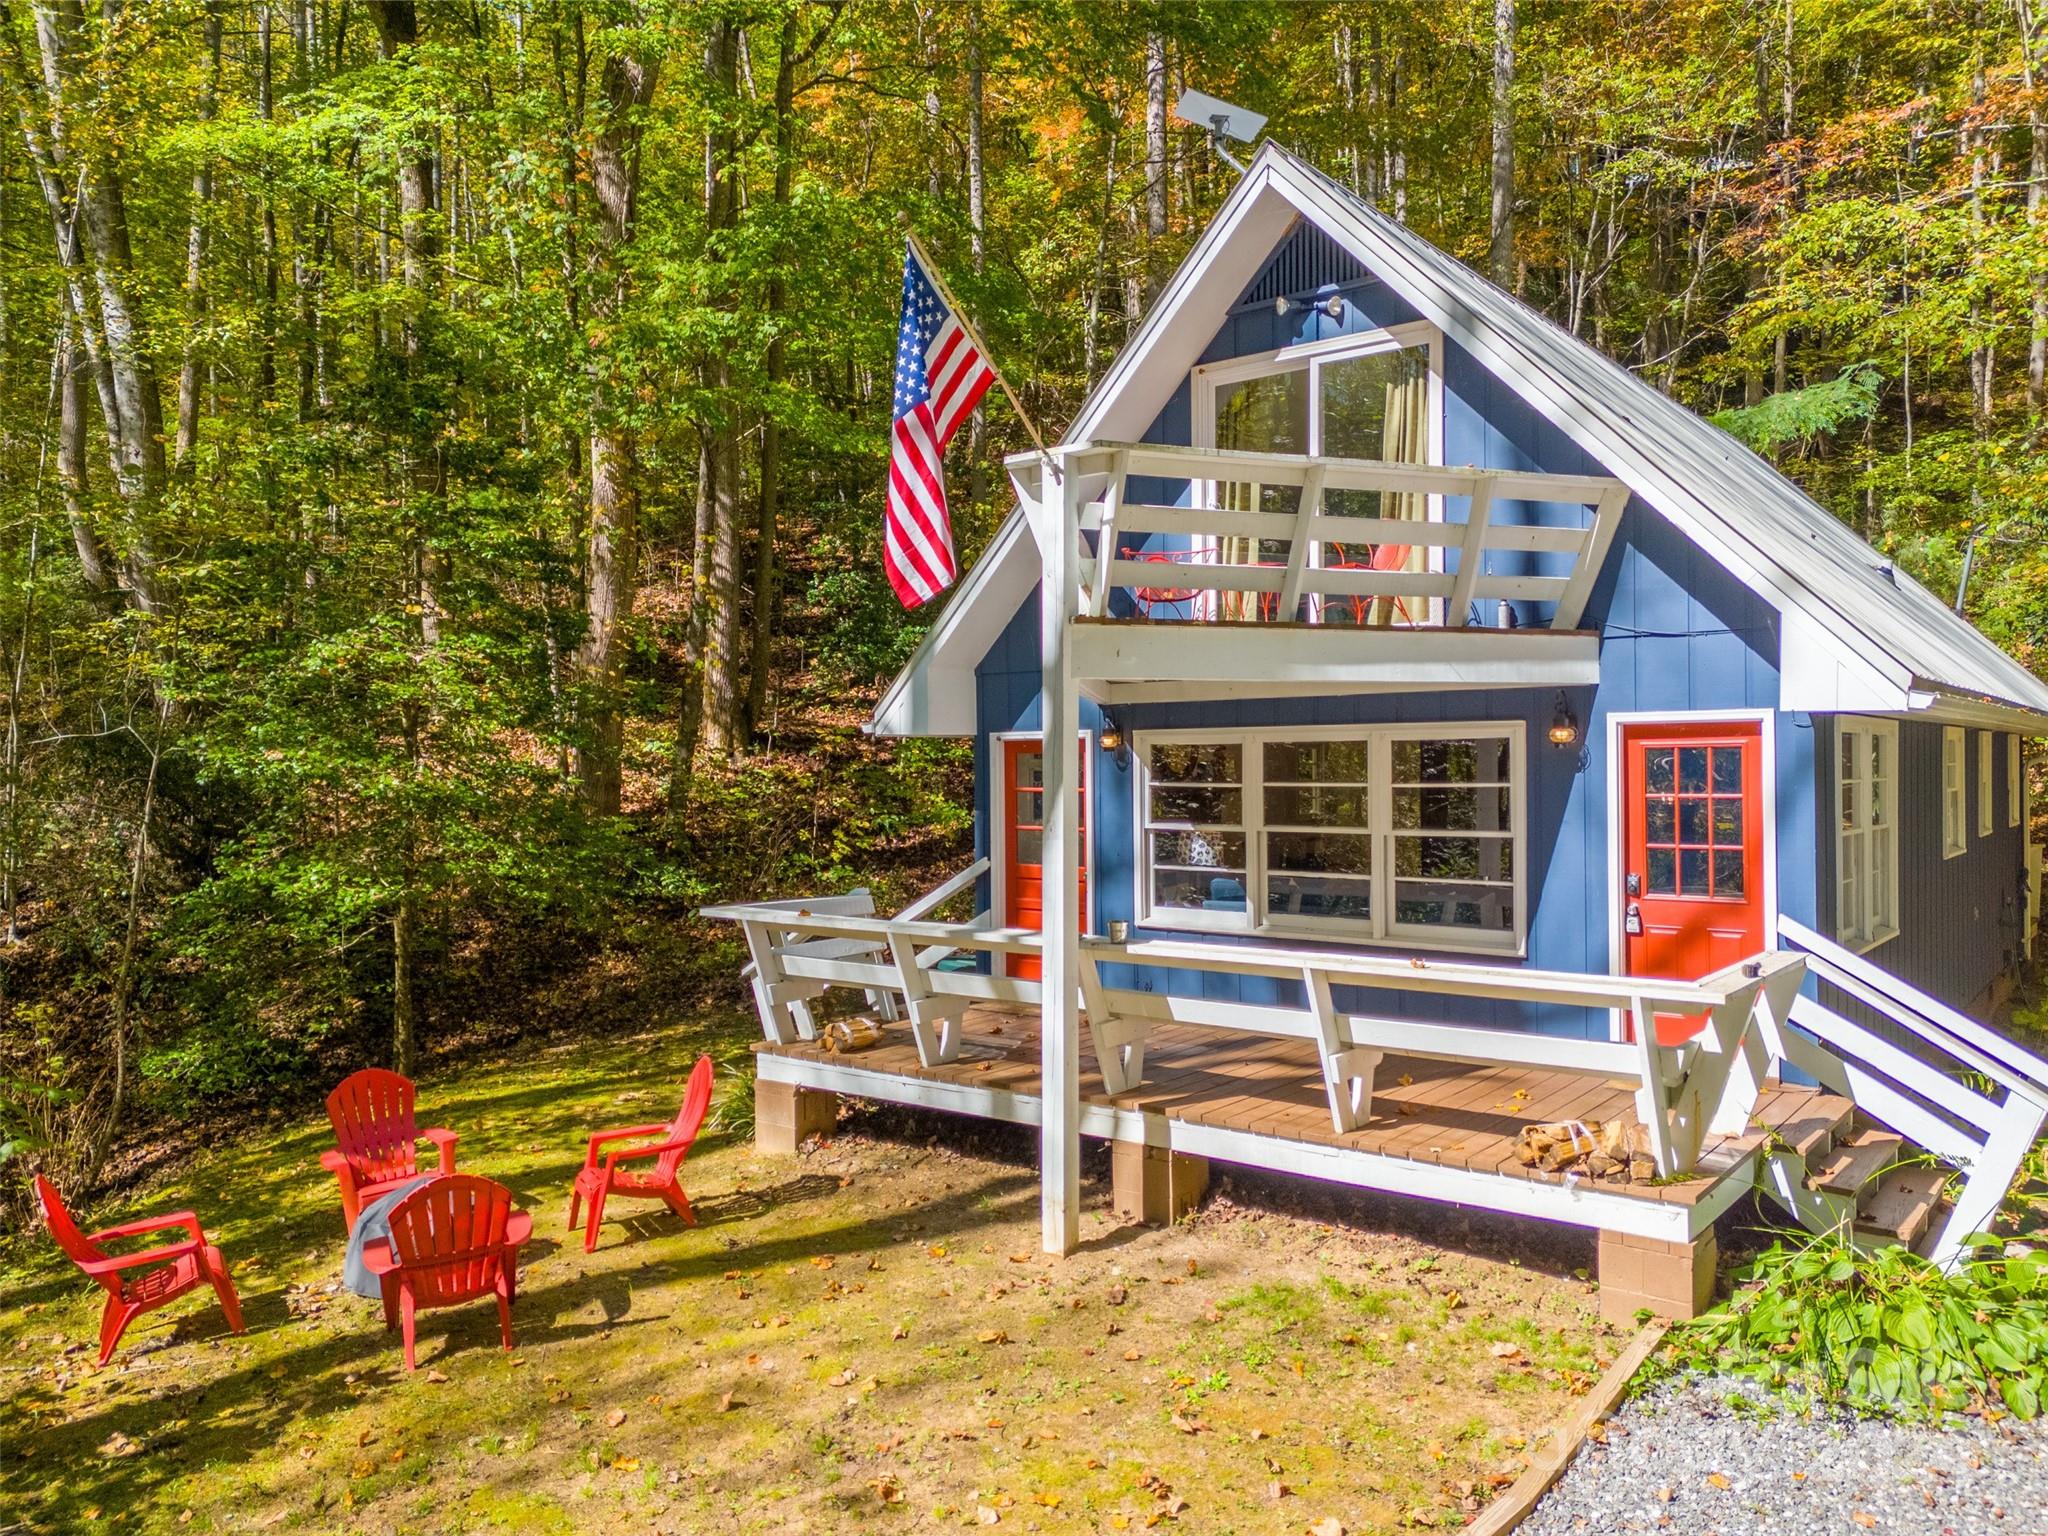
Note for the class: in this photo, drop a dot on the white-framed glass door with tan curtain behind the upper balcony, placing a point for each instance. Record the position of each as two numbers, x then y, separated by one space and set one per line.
1367 396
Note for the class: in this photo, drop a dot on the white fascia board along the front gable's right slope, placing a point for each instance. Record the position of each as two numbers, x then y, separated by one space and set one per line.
1553 400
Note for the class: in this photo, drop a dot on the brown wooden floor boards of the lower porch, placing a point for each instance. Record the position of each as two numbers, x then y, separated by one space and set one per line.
1453 1113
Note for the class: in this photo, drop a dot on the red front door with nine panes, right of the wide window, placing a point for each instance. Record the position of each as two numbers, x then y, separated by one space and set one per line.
1693 871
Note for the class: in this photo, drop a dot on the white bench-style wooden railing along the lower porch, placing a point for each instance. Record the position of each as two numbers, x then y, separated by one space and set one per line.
1684 1095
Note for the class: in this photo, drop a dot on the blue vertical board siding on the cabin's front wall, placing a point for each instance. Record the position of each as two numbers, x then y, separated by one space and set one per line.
1678 636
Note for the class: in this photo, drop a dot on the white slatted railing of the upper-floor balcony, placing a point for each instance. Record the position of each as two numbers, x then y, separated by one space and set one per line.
1220 552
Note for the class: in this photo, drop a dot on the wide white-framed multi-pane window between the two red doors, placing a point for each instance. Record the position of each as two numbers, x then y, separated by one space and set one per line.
1406 835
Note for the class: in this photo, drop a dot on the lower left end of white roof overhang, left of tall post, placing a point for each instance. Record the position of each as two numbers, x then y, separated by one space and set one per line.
935 693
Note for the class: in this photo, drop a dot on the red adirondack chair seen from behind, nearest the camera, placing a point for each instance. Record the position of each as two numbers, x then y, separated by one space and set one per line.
454 1240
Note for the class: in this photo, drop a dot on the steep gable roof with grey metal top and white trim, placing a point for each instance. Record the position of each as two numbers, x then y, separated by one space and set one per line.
1859 634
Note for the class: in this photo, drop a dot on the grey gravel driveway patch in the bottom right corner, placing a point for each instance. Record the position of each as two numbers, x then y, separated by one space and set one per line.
1682 1463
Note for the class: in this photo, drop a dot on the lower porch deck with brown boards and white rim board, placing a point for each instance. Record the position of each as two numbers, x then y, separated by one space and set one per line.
1220 1093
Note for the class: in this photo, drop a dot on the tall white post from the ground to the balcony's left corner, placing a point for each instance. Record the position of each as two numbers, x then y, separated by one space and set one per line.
1060 1037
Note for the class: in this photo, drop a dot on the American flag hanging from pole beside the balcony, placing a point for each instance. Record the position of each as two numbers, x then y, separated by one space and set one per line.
941 378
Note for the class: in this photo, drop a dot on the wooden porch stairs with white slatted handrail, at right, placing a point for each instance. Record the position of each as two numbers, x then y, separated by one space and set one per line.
1928 1117
